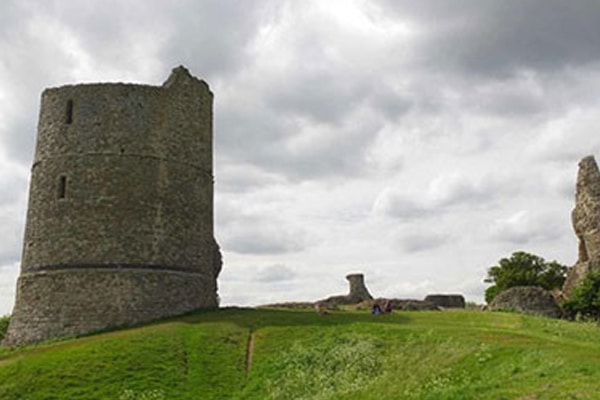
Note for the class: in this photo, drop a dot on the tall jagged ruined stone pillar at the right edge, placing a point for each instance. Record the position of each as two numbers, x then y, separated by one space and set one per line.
586 223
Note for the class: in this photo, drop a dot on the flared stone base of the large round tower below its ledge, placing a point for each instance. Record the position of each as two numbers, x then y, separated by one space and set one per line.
73 302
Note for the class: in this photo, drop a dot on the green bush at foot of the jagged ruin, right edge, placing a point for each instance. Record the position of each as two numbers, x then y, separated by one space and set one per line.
585 299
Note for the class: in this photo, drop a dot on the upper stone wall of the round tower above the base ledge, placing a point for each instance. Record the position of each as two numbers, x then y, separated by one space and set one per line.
137 168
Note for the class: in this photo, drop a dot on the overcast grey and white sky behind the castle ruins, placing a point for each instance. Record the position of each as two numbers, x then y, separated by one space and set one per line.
415 141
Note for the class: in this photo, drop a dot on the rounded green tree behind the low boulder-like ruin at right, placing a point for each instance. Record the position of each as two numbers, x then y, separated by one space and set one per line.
524 269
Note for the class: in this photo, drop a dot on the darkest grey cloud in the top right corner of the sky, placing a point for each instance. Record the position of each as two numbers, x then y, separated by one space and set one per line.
498 37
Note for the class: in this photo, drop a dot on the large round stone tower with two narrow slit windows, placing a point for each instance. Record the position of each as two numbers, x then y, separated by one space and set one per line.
120 218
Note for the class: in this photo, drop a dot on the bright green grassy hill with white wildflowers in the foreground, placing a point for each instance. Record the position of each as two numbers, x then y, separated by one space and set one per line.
276 354
